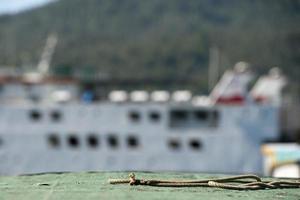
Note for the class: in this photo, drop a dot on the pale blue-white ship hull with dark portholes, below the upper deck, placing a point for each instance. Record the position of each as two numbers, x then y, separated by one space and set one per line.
133 136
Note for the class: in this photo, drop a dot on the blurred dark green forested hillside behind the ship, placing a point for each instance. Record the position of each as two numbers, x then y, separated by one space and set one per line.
157 38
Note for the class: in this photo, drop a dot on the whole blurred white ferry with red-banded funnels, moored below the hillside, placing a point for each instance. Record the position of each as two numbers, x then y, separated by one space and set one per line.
49 125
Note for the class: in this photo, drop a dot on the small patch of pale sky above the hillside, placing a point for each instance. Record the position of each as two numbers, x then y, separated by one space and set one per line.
14 6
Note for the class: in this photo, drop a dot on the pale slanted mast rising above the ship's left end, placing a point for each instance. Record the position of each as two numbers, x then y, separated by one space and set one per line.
44 64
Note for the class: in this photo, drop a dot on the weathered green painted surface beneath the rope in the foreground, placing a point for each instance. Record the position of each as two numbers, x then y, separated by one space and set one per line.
95 186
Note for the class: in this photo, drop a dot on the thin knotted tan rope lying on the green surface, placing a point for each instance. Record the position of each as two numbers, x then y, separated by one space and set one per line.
242 182
